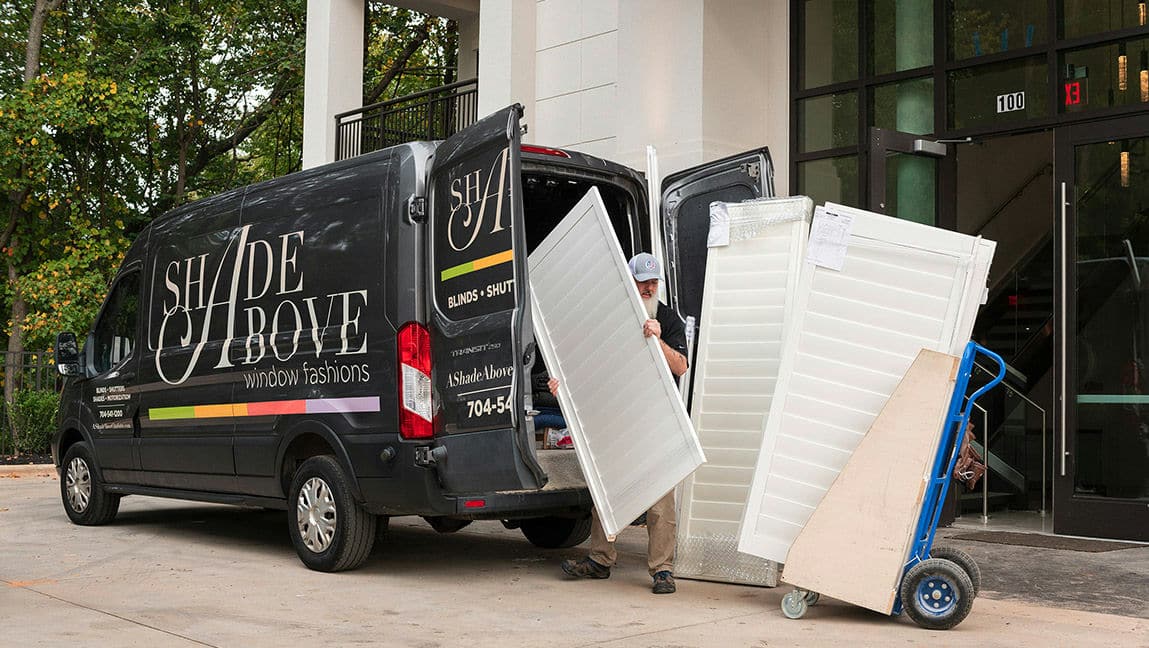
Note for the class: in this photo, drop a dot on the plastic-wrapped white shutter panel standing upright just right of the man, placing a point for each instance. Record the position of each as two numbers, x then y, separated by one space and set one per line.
749 295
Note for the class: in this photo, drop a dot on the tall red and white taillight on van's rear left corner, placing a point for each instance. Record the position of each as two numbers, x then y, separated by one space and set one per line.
415 406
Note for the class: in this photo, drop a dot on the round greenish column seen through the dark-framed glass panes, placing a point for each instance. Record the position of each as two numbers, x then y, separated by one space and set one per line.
917 186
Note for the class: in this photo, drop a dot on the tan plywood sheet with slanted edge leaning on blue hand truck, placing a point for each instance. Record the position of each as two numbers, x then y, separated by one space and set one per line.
859 538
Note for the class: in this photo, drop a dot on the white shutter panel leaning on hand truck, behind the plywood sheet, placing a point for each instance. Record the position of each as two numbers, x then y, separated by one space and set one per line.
903 288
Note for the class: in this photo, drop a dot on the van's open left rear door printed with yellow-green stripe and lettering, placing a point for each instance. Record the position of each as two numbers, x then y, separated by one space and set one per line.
480 319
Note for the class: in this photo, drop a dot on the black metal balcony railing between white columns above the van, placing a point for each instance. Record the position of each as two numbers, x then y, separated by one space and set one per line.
433 114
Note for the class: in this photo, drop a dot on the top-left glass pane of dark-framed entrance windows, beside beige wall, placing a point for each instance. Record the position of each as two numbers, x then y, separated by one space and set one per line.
830 43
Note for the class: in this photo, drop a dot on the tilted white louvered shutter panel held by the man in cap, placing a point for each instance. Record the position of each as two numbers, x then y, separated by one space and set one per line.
633 436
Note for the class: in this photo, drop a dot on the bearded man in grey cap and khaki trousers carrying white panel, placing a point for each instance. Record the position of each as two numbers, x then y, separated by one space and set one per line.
665 326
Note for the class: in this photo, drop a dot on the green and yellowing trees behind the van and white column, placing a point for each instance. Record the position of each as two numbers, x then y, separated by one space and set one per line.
113 112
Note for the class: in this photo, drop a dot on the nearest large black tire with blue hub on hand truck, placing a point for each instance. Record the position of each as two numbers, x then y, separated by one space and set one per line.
937 595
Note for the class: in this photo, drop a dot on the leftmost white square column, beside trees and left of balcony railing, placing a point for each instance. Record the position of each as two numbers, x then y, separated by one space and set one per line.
333 75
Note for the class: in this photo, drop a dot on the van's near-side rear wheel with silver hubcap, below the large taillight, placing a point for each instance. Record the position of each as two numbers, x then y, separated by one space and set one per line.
329 529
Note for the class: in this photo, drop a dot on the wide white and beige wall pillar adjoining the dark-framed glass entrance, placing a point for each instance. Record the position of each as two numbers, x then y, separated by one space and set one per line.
703 80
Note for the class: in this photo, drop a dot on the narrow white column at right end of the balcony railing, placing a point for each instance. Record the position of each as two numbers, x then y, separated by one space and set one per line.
507 53
